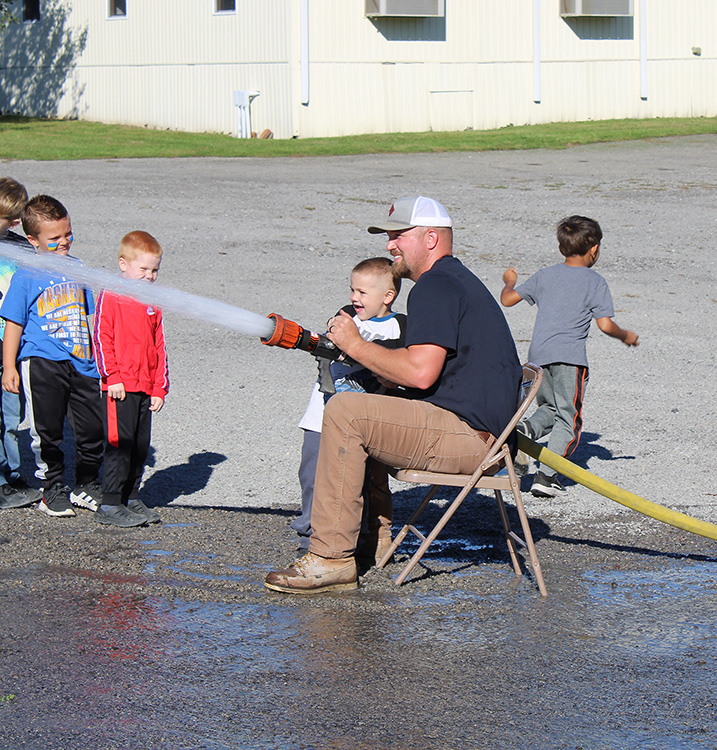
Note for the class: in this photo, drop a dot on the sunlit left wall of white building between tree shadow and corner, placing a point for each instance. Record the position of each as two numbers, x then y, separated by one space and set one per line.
170 66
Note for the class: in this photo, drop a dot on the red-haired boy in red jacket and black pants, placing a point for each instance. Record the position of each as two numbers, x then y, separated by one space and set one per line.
132 360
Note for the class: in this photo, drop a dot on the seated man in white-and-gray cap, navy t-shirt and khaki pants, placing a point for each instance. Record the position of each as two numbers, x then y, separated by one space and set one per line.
461 376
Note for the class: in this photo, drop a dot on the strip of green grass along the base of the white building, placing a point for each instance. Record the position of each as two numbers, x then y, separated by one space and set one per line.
47 140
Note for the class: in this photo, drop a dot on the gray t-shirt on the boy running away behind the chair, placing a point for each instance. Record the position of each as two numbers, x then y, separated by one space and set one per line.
568 298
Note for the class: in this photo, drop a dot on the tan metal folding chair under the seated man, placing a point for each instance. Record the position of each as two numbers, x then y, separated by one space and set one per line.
483 479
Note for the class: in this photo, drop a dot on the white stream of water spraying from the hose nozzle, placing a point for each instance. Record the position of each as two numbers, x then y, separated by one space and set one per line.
191 305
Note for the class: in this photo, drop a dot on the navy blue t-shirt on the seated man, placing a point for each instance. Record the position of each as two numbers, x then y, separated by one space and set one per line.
450 307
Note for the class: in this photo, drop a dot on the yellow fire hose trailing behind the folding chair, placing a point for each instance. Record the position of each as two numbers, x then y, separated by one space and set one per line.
613 492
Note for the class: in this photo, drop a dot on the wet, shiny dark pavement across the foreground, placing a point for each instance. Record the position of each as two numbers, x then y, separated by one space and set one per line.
611 659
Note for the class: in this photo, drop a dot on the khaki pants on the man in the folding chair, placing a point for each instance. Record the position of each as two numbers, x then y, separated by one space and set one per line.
404 433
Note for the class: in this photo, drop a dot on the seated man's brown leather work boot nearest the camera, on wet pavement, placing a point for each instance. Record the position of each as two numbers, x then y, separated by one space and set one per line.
312 574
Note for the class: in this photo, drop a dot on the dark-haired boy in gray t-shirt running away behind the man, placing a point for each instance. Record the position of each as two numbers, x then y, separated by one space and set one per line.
569 295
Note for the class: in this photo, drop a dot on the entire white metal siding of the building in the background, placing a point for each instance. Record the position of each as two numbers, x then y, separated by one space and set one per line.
175 64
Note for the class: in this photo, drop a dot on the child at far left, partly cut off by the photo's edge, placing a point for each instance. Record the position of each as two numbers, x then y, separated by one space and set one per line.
14 490
